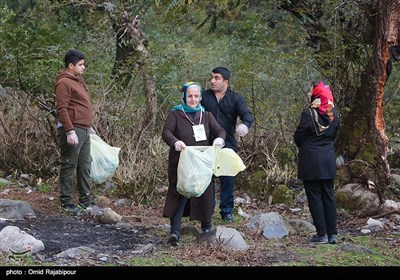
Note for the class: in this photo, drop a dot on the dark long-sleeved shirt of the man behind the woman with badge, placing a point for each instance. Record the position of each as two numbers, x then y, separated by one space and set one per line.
226 113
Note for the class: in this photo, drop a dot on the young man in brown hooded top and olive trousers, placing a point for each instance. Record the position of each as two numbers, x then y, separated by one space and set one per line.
75 115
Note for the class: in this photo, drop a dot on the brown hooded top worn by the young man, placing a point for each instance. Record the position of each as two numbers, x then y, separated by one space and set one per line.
73 101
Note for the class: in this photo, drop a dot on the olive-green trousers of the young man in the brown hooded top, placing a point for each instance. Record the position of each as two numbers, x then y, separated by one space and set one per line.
75 159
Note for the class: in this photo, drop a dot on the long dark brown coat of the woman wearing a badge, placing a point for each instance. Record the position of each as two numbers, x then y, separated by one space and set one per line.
178 127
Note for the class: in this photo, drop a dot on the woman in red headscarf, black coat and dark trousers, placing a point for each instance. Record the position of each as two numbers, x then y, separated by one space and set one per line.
315 136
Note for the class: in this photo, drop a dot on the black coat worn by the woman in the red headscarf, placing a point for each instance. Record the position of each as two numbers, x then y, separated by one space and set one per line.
317 158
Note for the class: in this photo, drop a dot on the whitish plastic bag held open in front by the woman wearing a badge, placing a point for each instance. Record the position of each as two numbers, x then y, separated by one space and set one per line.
195 170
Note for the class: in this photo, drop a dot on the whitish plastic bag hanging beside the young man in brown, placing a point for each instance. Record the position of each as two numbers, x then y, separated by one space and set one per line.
105 159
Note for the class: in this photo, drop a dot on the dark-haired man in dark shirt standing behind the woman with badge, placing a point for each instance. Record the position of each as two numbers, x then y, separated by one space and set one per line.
227 106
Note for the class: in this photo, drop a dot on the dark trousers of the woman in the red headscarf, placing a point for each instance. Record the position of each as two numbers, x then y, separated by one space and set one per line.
322 205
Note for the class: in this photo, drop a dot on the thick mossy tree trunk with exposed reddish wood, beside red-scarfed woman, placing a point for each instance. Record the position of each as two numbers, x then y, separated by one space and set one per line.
364 142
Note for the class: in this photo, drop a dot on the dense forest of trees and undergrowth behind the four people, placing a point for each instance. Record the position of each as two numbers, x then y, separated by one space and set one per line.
139 53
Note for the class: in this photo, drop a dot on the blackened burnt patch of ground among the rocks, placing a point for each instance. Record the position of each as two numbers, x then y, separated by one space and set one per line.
61 232
